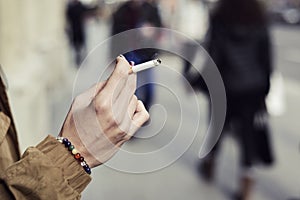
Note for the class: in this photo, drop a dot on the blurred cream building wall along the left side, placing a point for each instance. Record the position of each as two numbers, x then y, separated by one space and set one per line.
33 54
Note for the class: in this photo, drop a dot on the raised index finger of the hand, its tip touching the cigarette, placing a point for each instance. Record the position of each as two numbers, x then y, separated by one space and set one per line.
118 78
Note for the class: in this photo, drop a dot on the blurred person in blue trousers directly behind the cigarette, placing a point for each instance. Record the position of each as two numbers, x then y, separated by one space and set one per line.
139 14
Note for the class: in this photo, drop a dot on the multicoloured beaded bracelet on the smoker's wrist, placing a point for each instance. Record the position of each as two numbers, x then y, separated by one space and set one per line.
75 153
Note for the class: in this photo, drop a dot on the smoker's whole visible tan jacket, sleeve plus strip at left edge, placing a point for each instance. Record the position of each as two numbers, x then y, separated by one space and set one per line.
46 171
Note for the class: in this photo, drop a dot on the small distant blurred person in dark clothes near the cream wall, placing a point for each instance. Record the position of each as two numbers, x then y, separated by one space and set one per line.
76 12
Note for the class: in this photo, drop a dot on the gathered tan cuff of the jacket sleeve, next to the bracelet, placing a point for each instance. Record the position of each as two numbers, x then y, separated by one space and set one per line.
73 172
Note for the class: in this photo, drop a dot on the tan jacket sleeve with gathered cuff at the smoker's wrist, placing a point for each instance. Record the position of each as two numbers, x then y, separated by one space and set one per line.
47 171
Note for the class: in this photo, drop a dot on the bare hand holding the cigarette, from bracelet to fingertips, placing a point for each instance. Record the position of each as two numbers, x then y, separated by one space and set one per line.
105 116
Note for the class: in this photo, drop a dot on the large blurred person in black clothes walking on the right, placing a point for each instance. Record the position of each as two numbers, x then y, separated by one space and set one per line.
239 43
